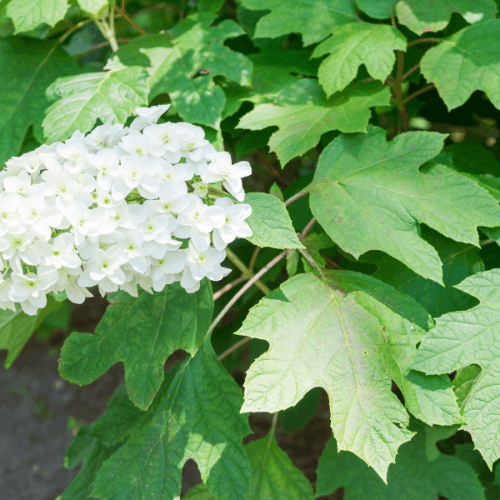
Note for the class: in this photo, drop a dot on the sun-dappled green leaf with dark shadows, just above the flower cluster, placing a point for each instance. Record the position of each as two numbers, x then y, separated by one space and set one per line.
184 65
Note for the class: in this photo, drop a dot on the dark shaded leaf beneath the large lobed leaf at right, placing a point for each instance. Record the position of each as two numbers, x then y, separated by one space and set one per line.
459 261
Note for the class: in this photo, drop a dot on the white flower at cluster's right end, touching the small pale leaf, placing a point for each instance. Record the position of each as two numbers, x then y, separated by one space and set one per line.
234 223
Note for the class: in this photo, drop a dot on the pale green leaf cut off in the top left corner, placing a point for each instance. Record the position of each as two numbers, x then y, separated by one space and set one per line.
28 14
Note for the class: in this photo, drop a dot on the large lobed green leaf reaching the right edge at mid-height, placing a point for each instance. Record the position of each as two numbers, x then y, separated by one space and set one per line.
376 198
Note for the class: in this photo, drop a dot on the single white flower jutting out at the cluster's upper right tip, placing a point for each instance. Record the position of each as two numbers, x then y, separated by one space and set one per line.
222 169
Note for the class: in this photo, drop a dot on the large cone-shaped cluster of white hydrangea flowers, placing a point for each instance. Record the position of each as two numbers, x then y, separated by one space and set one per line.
117 208
